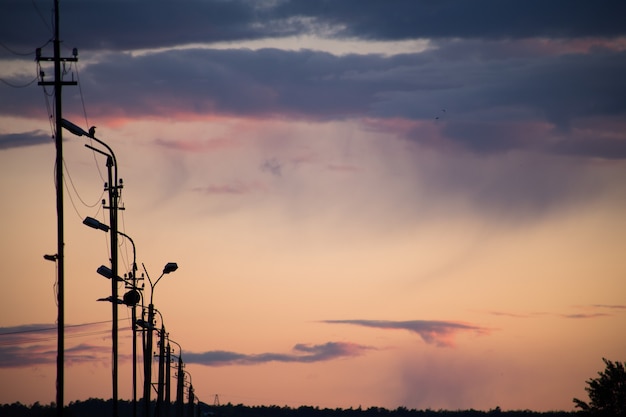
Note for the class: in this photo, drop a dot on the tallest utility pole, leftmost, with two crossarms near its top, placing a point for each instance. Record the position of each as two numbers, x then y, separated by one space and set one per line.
58 83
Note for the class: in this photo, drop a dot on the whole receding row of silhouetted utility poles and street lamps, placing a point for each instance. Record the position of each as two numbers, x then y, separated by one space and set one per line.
134 295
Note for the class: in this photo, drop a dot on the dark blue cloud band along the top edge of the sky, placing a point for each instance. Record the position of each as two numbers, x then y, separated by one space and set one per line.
140 24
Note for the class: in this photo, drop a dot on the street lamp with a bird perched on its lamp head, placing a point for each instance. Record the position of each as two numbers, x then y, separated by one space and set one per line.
112 188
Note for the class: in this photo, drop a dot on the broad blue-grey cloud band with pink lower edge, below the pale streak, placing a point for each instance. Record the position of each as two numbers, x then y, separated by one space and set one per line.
487 99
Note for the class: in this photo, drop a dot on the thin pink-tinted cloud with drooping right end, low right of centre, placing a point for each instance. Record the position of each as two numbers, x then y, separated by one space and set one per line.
439 333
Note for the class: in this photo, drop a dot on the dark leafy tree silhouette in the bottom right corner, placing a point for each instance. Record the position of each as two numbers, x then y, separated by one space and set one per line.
607 393
